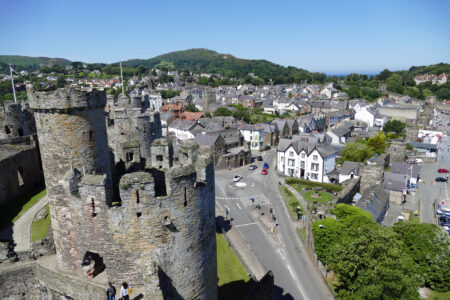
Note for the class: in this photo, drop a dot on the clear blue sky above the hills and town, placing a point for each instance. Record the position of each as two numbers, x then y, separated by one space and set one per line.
327 36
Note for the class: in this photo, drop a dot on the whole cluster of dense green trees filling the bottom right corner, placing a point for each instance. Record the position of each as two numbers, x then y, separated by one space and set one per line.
376 262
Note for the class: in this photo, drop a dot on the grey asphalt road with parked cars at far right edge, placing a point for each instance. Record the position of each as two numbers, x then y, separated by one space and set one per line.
429 193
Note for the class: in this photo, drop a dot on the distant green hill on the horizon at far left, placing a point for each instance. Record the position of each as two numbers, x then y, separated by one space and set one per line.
29 63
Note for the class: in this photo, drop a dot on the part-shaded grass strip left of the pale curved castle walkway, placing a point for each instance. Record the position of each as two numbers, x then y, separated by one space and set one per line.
13 210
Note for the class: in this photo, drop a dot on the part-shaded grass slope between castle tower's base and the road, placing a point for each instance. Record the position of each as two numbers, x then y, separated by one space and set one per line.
233 282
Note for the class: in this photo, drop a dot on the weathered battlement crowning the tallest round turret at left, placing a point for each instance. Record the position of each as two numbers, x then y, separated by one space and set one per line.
71 97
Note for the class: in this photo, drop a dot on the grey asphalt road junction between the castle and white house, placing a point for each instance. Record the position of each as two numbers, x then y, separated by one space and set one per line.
281 252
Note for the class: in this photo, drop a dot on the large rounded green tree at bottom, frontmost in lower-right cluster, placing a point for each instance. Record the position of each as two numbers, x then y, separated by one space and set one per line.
372 265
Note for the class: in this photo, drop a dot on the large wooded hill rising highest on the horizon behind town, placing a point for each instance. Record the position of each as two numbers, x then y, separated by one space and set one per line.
208 61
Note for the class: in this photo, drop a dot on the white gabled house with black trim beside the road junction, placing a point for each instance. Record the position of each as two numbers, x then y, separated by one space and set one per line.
310 161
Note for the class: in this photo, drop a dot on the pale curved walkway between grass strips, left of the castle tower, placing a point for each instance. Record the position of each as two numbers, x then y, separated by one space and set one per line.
22 226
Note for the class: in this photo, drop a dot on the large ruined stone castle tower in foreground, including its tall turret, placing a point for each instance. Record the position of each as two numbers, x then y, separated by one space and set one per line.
160 237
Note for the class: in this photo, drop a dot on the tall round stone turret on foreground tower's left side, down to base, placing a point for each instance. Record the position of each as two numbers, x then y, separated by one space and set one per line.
72 134
